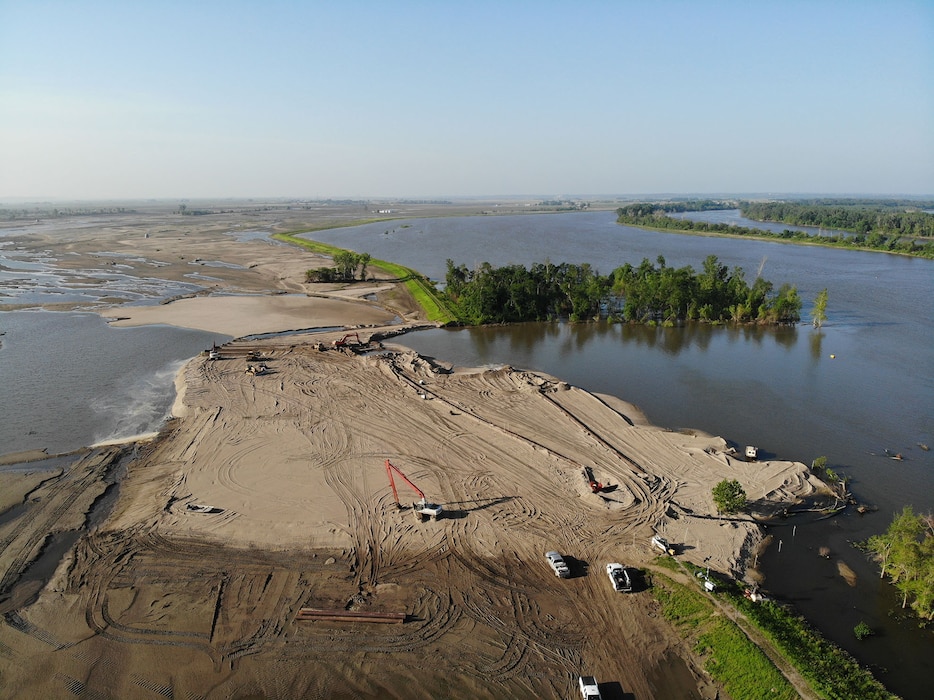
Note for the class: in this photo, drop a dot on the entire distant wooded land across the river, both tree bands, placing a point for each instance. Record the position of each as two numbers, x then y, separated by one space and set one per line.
894 226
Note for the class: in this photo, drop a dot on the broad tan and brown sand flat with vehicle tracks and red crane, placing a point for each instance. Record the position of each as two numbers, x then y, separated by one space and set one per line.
270 495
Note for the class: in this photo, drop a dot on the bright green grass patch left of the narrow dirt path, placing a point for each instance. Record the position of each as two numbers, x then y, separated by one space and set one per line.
729 656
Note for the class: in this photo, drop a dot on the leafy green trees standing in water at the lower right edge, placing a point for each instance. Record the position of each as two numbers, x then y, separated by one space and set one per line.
905 553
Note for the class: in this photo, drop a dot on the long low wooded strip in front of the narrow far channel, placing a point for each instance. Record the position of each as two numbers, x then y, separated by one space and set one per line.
656 216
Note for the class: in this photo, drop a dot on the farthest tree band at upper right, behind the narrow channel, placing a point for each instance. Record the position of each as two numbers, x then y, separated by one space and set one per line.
859 218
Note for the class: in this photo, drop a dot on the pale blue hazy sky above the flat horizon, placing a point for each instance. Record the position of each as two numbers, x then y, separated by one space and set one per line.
431 99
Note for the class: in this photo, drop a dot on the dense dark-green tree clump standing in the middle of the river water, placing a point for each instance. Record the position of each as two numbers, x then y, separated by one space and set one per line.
643 294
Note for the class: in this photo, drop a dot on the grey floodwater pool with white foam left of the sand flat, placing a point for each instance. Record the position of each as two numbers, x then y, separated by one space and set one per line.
71 380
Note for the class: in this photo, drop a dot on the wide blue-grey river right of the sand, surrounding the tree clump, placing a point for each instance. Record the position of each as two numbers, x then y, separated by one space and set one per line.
861 385
